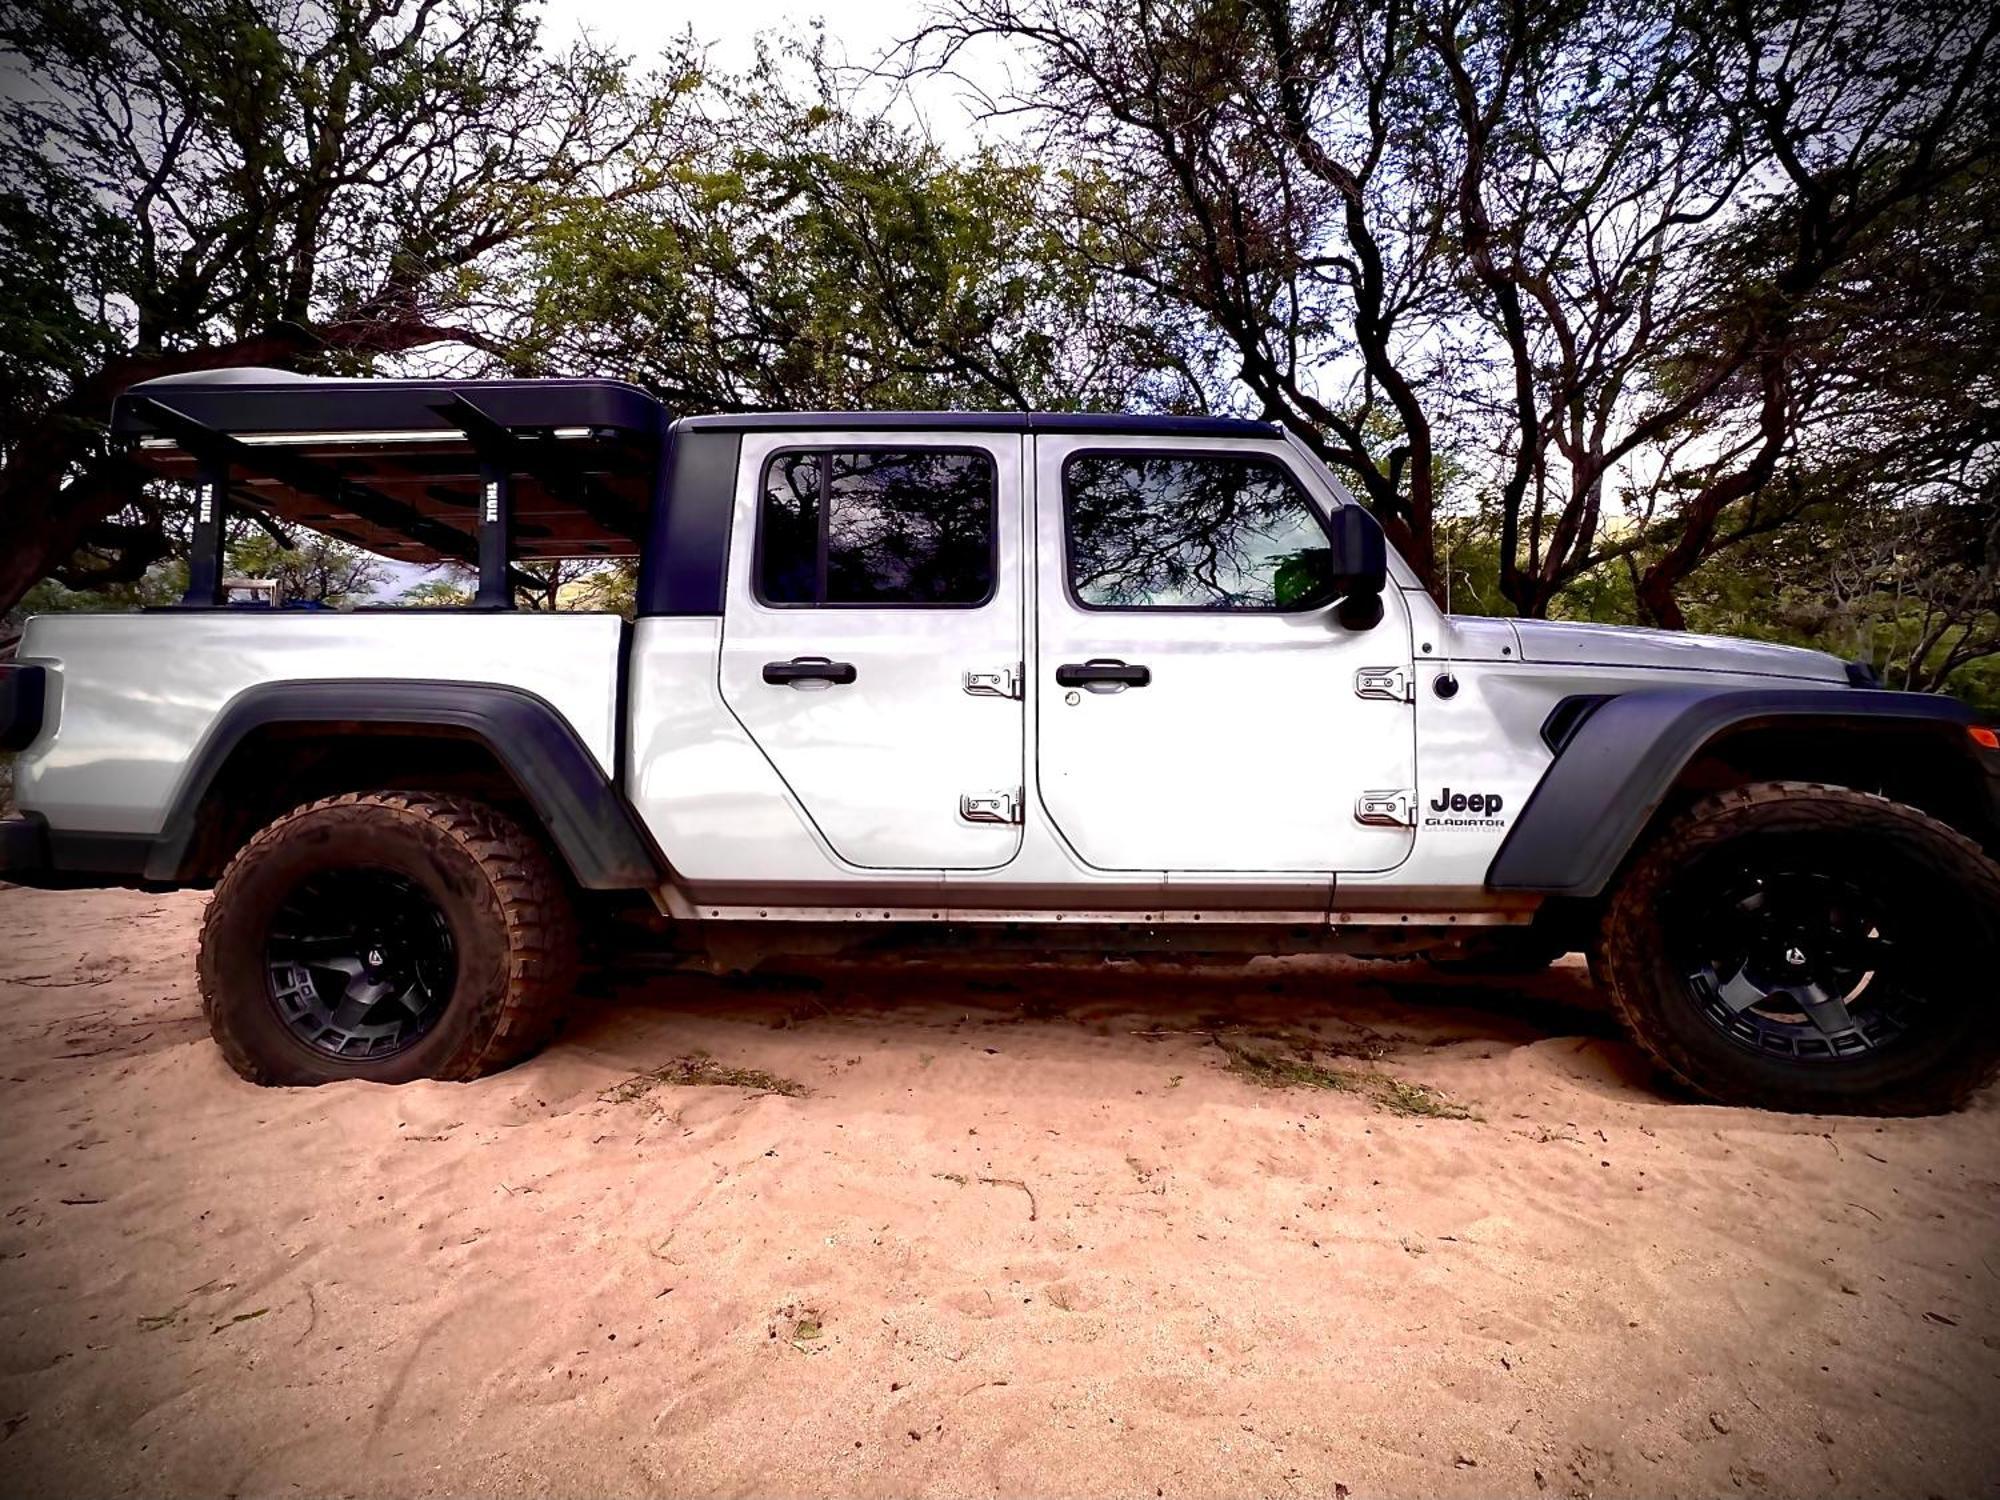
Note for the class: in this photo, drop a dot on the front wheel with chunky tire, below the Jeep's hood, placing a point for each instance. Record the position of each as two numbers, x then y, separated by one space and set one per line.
1815 949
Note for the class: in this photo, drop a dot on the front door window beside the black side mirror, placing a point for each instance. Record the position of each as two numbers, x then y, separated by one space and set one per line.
1195 533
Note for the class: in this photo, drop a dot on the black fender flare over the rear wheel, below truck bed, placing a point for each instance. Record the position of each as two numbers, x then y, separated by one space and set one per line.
581 809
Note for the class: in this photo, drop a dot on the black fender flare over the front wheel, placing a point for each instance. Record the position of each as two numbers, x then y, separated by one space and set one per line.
1619 765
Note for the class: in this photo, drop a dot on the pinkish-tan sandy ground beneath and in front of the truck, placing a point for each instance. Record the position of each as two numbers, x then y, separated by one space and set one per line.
1029 1233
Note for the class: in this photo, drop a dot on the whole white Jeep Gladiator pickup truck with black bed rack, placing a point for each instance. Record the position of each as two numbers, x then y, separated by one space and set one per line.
1019 681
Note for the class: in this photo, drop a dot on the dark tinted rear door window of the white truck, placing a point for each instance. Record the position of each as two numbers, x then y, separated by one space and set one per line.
877 527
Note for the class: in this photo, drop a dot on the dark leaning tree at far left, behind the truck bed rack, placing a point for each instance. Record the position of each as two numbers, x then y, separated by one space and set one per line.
301 187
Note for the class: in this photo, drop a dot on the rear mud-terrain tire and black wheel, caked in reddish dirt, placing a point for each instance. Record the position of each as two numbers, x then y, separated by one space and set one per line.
443 943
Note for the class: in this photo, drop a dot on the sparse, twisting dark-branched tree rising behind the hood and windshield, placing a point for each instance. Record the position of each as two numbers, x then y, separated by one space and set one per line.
1577 237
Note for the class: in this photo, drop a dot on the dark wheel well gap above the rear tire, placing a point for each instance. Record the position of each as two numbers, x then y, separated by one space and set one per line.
281 767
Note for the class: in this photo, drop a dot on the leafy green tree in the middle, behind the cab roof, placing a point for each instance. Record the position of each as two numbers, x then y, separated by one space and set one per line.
813 255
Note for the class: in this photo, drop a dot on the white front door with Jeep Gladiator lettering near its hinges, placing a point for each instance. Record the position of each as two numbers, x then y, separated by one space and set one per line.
1199 705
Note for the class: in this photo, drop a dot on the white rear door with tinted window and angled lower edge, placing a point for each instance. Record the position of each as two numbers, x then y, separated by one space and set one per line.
873 639
